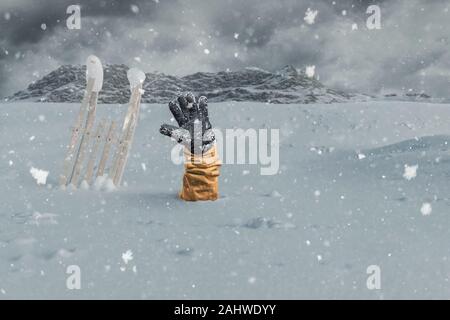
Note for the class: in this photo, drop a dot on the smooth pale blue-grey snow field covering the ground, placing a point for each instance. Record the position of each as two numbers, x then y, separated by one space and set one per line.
342 201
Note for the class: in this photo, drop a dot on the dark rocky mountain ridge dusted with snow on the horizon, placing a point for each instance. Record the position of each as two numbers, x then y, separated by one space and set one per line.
287 85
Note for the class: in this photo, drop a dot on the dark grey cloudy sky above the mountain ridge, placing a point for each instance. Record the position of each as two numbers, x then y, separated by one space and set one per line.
410 51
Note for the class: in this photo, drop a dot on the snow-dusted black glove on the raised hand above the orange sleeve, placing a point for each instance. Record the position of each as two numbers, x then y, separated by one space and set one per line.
194 131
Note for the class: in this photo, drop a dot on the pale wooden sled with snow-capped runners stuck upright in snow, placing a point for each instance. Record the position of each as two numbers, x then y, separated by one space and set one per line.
82 133
